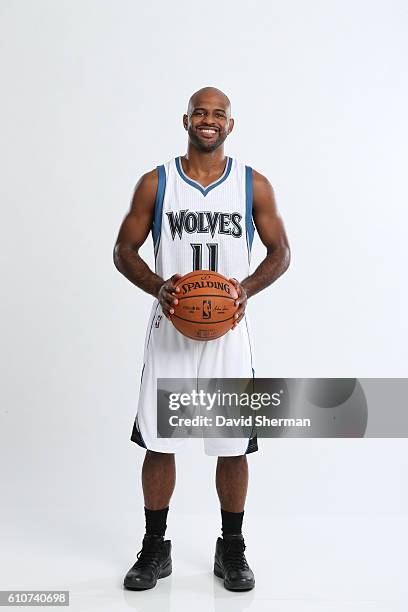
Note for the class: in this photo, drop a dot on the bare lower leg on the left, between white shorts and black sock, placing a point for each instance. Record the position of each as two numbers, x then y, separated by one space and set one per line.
158 479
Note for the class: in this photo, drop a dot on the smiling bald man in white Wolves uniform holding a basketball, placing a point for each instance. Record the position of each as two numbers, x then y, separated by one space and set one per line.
200 209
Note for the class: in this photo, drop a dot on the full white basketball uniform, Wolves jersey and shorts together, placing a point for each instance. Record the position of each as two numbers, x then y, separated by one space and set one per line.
207 228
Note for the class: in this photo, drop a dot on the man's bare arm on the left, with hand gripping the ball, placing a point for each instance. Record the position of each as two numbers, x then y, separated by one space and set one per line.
133 232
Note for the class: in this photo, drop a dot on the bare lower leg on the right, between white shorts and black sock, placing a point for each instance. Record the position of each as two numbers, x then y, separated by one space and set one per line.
232 482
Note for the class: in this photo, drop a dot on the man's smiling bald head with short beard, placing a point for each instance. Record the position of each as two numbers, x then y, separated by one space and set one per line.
208 119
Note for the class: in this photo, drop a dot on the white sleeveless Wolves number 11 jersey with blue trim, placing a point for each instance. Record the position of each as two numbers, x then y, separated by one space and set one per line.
203 228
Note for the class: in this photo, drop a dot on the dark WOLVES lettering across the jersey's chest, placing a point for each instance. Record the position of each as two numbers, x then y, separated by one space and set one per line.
207 222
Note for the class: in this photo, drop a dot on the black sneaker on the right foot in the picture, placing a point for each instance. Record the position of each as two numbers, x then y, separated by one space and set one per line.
231 565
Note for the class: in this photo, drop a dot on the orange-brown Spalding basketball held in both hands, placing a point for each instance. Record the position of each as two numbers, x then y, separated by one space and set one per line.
206 305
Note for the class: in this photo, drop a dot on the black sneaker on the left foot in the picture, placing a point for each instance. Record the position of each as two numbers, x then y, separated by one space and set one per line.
153 562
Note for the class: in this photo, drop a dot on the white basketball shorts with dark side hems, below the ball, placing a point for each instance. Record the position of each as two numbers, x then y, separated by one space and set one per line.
169 354
